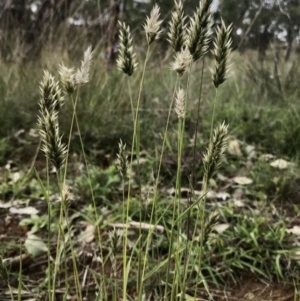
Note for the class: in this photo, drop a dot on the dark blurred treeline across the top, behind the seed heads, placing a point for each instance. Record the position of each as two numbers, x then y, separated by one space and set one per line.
28 26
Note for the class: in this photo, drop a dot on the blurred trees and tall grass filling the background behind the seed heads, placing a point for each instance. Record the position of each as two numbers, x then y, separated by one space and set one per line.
259 100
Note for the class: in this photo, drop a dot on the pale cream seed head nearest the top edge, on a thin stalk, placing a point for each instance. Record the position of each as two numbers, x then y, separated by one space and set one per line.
152 25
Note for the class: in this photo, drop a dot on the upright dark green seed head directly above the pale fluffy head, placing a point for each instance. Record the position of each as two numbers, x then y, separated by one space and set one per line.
176 32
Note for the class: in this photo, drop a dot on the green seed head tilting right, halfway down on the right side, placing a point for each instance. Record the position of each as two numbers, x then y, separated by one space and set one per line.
213 158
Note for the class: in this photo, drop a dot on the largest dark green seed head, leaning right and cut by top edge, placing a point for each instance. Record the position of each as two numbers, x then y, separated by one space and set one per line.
199 30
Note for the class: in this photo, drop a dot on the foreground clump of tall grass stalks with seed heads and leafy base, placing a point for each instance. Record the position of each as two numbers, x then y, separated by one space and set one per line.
159 243
